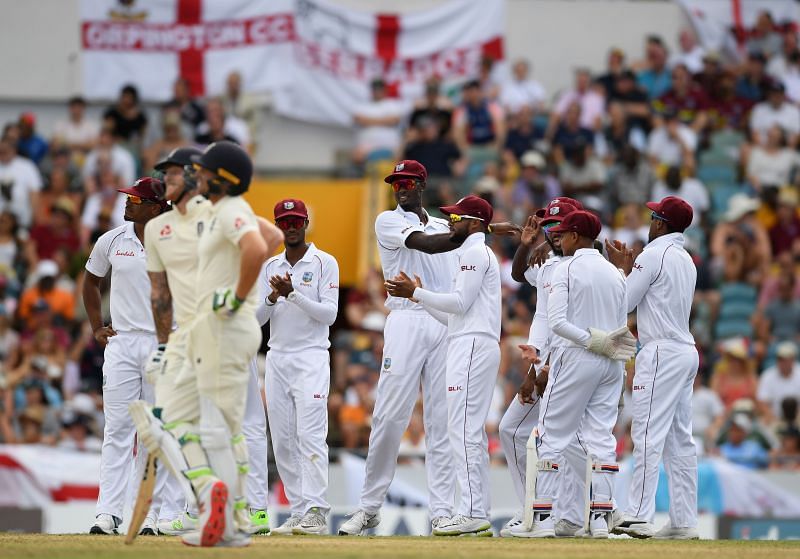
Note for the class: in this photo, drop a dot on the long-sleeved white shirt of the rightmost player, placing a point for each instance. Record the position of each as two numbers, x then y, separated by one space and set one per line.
661 288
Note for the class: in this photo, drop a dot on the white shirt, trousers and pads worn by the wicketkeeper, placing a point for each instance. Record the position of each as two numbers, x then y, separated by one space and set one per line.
583 393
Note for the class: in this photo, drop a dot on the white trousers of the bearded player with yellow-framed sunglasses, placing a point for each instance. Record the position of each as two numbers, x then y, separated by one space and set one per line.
472 365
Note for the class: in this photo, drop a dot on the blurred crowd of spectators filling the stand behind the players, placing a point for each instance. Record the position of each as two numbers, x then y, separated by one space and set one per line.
722 134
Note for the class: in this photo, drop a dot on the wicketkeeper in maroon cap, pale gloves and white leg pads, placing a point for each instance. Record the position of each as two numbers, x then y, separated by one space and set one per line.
586 309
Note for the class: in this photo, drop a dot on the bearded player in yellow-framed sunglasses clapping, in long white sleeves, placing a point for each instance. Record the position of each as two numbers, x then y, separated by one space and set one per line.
471 309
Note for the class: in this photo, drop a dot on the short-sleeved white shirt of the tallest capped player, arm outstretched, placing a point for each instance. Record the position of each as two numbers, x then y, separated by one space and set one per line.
392 228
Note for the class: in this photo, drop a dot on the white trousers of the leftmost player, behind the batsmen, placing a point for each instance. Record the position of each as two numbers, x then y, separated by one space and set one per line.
121 461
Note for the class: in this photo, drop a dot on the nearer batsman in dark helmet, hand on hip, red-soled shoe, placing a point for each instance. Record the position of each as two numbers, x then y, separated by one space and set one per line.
201 439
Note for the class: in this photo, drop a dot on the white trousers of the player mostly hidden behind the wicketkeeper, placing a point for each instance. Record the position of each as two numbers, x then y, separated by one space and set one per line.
515 428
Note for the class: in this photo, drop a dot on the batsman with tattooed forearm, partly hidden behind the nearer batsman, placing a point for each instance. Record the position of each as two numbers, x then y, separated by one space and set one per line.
171 243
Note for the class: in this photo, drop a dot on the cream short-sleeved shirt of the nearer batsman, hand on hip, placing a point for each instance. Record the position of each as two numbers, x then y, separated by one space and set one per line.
219 257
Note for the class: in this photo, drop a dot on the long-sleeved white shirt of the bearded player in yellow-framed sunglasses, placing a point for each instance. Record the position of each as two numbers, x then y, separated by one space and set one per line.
475 302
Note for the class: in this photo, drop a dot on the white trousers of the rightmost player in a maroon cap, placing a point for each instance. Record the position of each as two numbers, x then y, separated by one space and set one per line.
662 425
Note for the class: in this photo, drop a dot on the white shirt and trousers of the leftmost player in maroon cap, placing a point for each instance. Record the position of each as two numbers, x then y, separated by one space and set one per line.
125 358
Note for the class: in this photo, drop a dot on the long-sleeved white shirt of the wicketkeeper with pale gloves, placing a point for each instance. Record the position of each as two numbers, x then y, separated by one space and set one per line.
587 292
